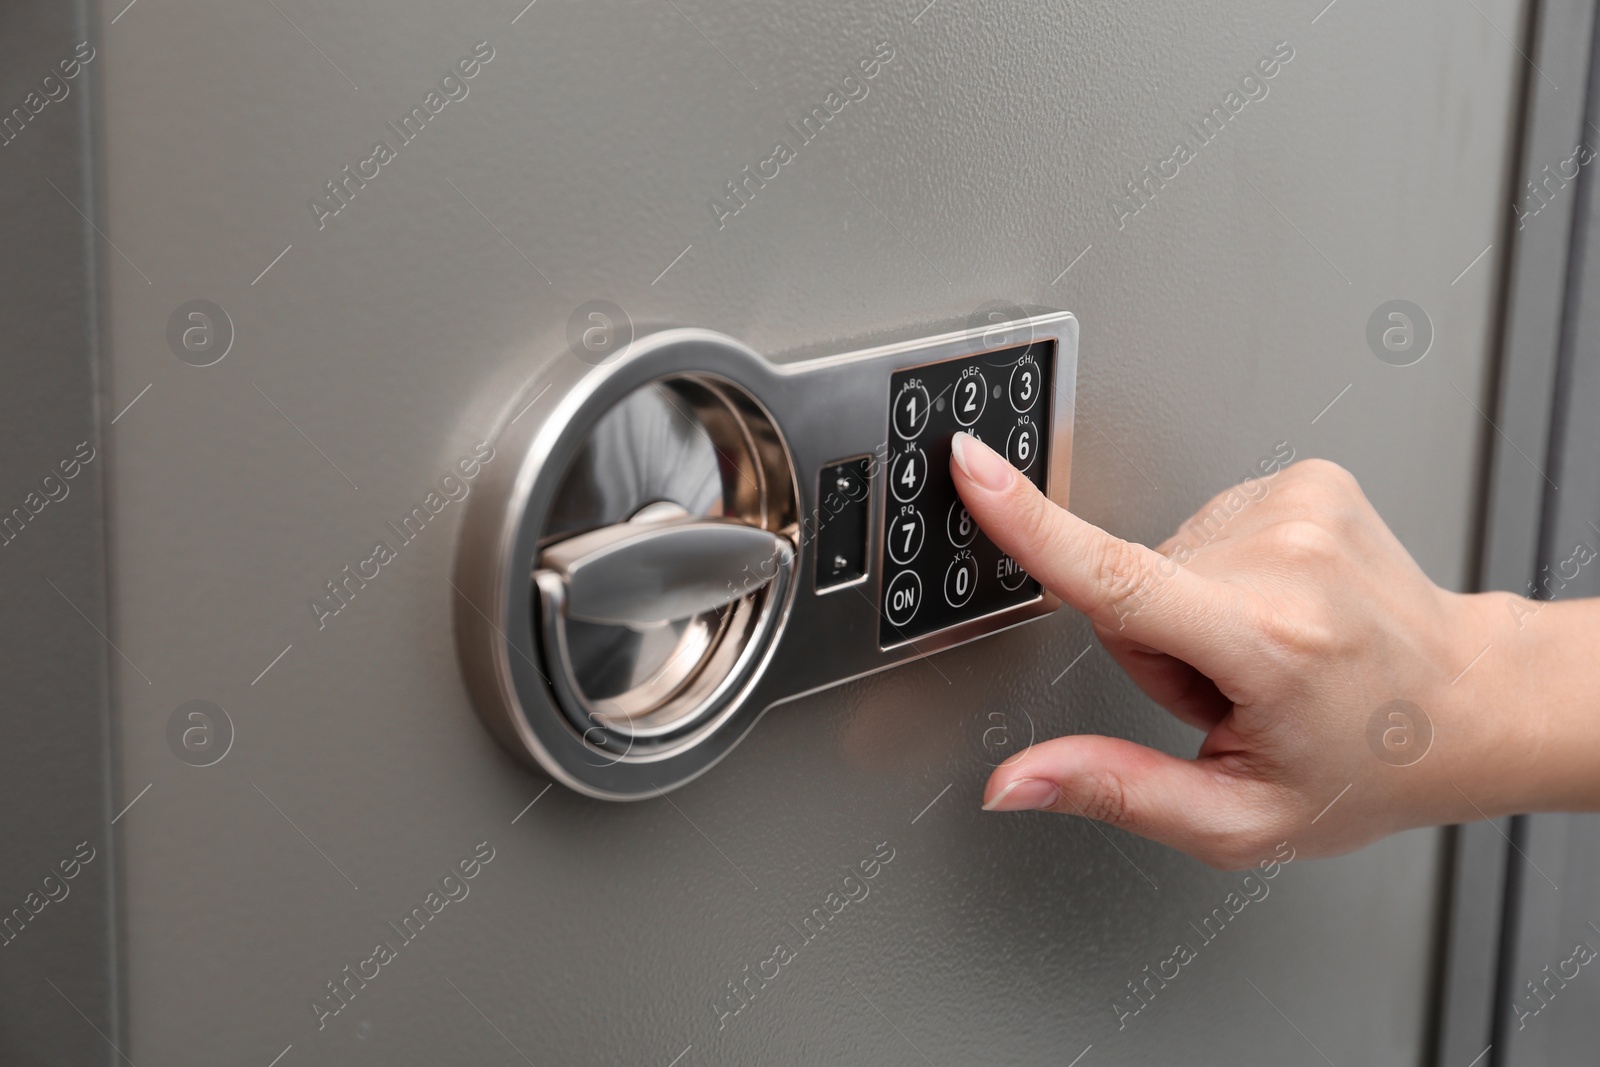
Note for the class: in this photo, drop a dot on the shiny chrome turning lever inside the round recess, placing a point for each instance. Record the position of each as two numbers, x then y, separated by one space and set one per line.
649 573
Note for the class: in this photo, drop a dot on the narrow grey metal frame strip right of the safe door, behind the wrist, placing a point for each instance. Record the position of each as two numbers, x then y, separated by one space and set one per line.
1535 247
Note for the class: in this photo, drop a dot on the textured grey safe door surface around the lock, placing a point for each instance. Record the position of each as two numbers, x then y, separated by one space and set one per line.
983 164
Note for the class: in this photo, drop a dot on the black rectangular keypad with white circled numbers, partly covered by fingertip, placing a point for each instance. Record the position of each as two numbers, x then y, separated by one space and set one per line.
937 567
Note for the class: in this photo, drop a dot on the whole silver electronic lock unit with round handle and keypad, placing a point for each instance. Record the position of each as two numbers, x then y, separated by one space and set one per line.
690 533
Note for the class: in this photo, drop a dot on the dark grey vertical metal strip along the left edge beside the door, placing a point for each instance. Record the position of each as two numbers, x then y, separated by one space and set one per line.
58 994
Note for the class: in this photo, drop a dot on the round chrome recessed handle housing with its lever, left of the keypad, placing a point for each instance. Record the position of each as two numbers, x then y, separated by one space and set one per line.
623 580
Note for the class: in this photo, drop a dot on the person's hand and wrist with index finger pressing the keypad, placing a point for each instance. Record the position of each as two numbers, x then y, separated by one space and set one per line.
1279 634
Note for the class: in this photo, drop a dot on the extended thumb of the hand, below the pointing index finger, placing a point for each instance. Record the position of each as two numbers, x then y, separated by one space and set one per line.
1191 805
